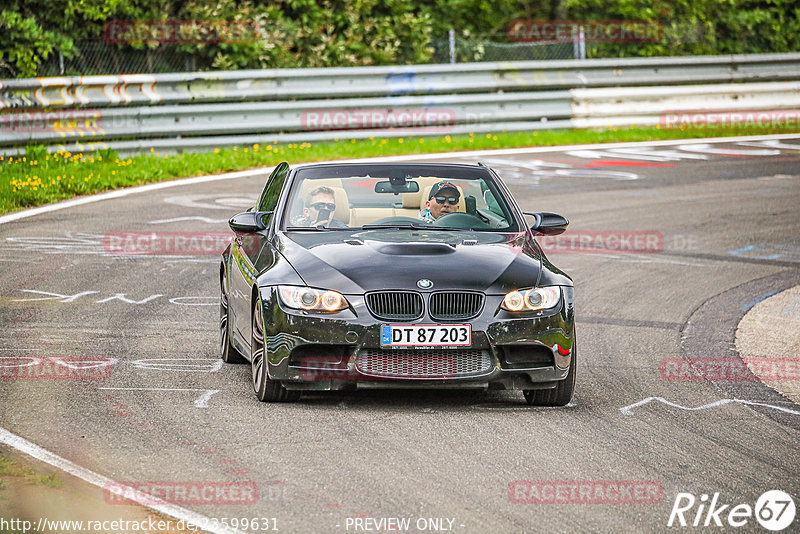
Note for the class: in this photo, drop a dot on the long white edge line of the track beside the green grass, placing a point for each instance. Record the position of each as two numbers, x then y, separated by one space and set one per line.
408 157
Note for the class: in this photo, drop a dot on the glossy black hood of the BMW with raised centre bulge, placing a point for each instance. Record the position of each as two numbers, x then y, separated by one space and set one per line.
368 260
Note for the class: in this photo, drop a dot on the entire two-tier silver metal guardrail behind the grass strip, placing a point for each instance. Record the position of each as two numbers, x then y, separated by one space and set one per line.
179 112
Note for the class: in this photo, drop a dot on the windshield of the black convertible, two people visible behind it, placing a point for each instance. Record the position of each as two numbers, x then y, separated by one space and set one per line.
344 197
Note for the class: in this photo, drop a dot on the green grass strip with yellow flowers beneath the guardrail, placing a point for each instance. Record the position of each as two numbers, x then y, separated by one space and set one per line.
41 178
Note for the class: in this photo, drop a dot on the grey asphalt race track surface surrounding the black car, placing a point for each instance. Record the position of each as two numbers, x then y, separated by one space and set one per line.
726 221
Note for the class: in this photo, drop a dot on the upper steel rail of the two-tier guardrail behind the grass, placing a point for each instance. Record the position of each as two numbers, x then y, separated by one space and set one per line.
349 82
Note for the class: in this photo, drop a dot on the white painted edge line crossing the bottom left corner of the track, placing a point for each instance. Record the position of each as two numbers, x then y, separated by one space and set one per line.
154 503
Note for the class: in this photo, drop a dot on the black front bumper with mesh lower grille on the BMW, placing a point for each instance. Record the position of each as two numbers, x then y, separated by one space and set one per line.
315 351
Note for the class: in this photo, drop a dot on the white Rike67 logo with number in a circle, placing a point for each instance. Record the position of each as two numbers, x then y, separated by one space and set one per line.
774 510
